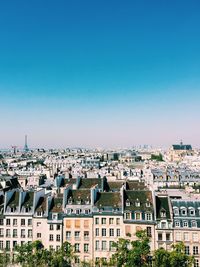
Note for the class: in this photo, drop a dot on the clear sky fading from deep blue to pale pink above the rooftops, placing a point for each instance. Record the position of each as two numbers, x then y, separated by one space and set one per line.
99 73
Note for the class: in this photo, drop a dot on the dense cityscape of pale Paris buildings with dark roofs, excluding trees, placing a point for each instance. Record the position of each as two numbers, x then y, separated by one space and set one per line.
92 198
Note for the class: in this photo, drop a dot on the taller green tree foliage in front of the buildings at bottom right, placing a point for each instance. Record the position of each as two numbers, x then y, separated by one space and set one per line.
137 254
